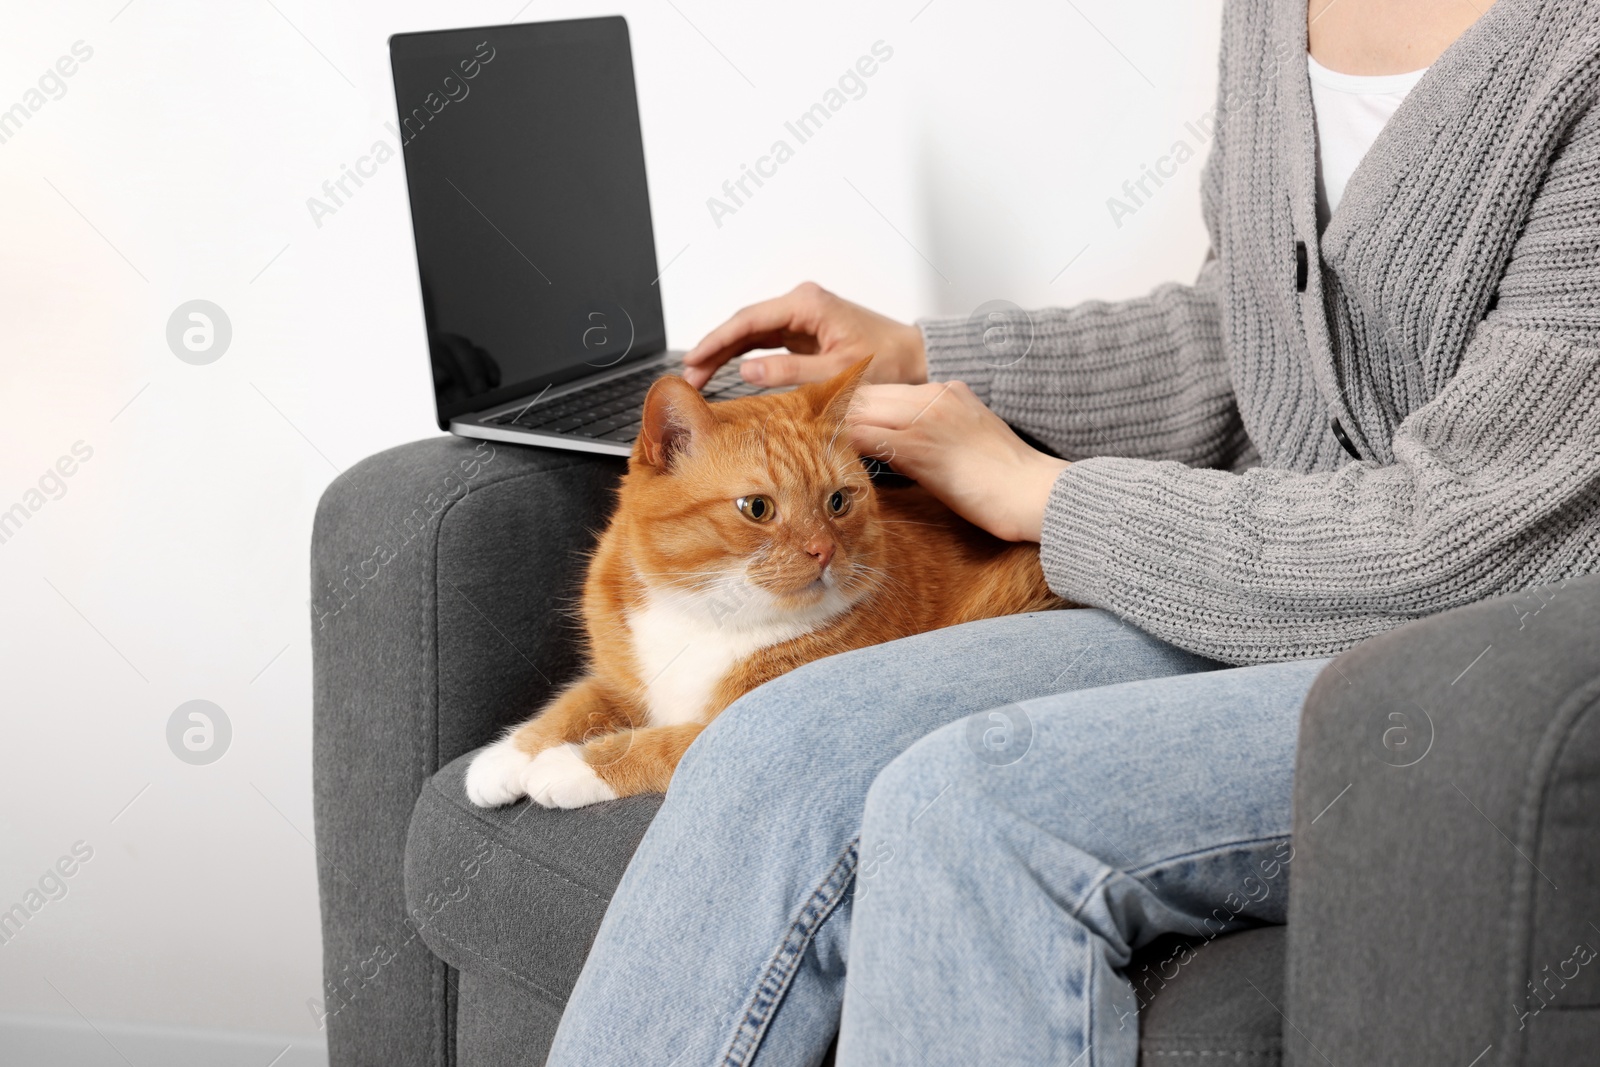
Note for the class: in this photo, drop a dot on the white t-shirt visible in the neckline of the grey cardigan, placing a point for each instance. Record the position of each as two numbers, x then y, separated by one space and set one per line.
1351 113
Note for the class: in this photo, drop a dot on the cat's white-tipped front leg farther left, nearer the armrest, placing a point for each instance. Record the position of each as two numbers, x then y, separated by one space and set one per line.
583 711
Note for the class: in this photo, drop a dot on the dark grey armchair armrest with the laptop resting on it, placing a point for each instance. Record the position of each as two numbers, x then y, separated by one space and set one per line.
442 577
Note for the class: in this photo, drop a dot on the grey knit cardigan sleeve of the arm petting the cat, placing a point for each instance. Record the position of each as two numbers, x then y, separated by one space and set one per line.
1495 489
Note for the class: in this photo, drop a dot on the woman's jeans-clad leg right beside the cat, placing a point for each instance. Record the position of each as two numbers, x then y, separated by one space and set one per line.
729 932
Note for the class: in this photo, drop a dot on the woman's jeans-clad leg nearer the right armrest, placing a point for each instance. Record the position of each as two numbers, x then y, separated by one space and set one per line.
1004 897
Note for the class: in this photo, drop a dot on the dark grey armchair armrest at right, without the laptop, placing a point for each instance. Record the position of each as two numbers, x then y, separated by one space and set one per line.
1446 887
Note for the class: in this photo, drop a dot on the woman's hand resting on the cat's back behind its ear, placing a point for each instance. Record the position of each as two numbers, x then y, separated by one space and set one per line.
959 450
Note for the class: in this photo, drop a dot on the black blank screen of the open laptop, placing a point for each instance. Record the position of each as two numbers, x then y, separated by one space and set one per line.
529 206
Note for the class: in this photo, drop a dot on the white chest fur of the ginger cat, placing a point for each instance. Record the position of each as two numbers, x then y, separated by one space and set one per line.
686 644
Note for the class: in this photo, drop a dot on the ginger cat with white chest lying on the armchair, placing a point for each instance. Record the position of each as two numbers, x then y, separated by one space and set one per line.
748 541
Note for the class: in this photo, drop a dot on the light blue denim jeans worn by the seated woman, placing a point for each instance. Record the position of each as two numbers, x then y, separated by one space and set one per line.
946 847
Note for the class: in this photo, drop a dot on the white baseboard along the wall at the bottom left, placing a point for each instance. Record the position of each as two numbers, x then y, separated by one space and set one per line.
68 1042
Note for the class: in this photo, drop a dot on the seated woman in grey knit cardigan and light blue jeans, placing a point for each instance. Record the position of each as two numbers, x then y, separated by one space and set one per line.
1380 401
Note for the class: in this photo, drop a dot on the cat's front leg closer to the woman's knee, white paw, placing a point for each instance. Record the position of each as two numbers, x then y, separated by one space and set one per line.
618 765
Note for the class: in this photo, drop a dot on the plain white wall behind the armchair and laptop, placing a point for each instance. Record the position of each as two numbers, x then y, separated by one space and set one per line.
178 164
